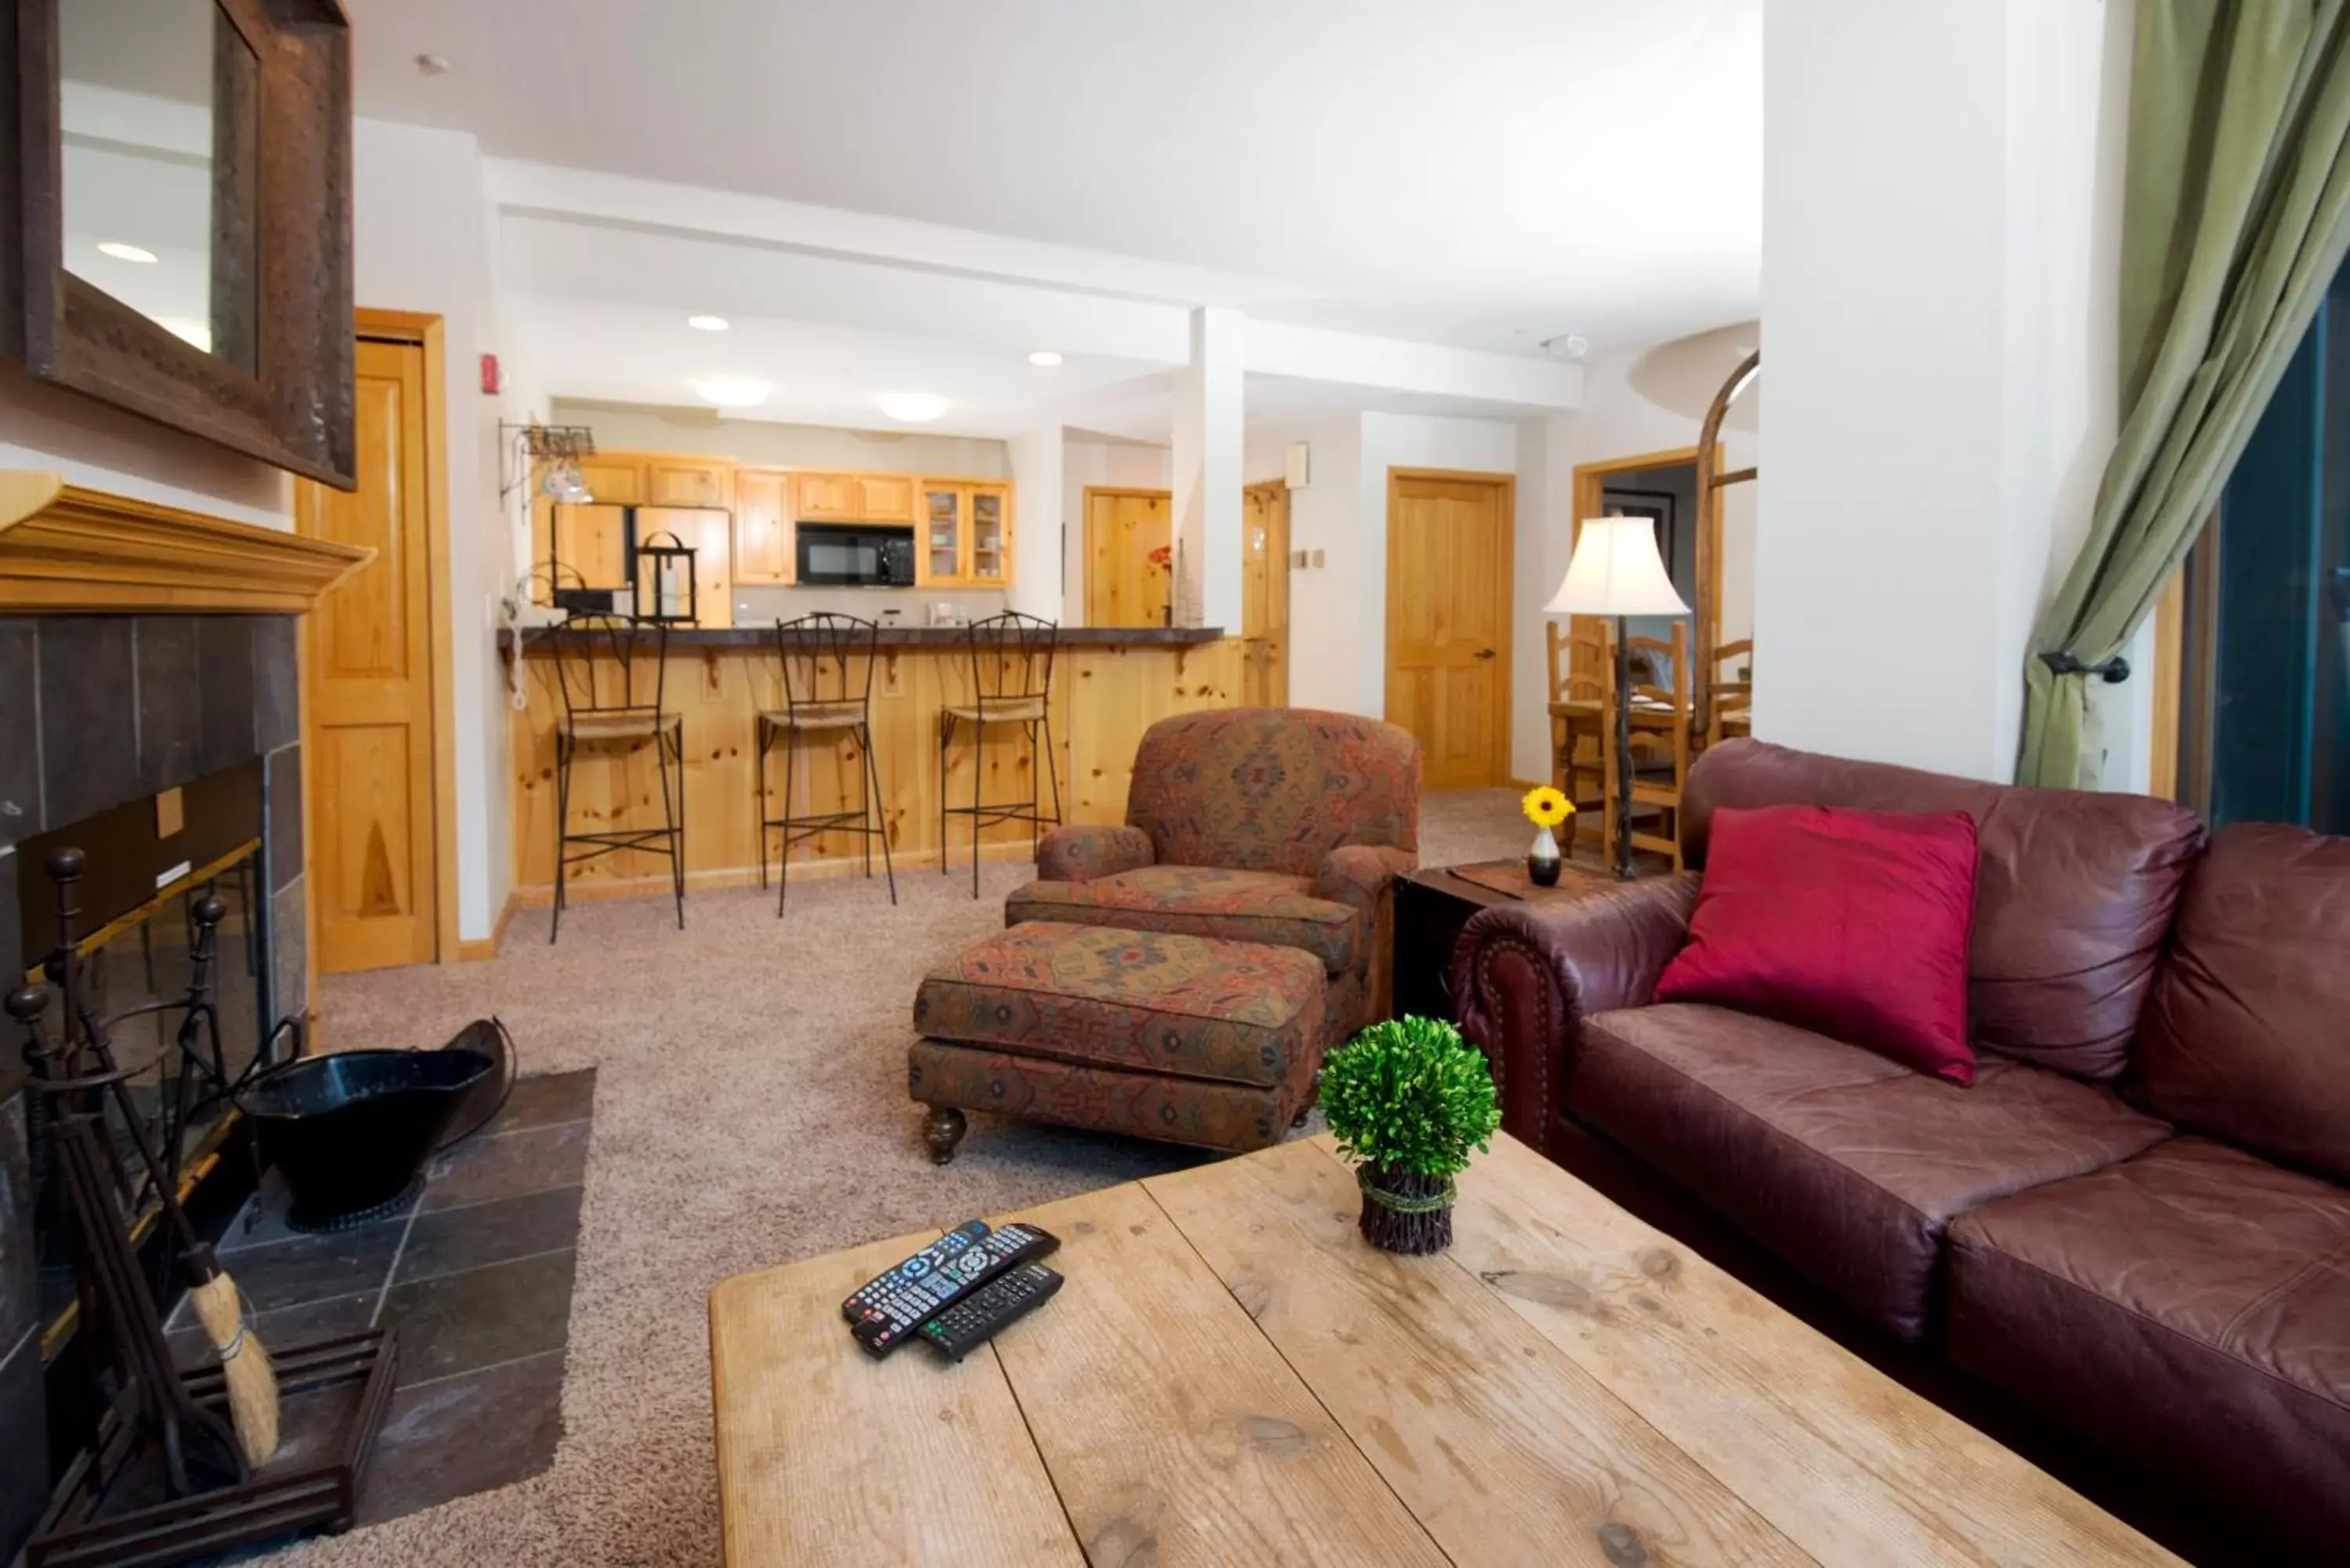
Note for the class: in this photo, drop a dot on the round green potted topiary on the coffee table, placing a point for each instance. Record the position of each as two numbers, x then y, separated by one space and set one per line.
1409 1101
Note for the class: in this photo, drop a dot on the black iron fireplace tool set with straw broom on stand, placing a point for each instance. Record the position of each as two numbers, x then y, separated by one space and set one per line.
241 1449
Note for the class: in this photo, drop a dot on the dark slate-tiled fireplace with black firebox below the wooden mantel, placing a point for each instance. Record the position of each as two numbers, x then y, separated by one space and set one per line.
168 751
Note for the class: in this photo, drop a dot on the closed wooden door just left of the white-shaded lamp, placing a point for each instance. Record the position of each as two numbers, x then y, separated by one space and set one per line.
1449 591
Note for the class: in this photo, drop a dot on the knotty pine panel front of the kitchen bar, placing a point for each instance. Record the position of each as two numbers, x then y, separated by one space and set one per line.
1108 690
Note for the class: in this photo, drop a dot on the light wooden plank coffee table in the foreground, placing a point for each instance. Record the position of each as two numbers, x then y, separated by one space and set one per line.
1233 1376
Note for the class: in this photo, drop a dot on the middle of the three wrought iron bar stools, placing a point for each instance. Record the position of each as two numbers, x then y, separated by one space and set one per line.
828 683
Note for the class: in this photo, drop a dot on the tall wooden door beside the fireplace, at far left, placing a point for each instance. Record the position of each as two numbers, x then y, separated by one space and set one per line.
370 669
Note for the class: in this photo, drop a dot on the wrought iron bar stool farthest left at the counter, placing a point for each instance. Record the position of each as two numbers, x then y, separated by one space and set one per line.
612 674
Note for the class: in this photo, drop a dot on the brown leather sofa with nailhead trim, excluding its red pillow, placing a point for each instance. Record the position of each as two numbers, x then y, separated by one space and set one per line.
2137 1224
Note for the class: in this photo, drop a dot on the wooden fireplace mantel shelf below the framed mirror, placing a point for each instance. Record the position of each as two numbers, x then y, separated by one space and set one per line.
81 551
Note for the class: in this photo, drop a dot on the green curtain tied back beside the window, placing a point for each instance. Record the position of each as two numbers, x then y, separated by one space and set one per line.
2231 232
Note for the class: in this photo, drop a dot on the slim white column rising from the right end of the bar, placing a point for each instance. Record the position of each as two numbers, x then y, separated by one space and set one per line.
1209 469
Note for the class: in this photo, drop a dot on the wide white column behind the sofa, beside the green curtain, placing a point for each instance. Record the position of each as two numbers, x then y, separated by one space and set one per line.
1940 269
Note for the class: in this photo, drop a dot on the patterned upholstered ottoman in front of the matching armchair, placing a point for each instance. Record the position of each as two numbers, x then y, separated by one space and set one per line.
1179 1038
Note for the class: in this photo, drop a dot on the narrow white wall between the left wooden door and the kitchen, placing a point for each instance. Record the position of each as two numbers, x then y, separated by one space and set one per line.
424 243
